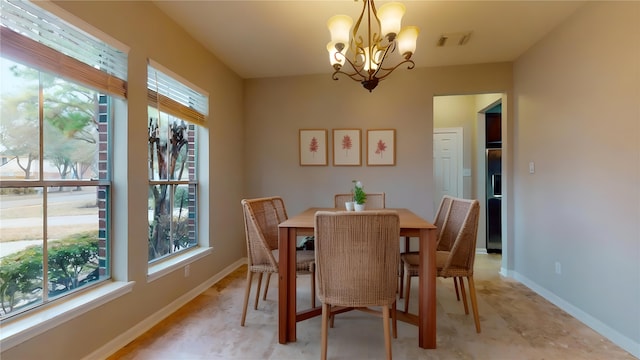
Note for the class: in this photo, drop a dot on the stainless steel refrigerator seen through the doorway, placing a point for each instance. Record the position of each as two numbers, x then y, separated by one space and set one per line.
494 200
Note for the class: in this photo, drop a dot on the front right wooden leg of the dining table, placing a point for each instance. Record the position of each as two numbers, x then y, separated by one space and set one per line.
427 290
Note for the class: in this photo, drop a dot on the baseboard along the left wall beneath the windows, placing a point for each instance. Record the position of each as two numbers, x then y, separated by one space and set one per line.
119 342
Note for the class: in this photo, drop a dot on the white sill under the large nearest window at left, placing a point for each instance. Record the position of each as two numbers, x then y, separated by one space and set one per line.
17 331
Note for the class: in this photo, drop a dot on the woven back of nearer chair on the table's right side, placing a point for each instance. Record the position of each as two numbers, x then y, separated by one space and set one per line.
462 225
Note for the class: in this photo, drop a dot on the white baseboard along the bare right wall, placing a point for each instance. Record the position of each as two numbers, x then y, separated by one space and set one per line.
614 336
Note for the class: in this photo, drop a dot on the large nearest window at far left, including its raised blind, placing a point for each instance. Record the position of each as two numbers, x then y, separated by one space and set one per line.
55 146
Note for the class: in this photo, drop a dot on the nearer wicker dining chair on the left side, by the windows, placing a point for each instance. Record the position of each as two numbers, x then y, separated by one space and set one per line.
261 219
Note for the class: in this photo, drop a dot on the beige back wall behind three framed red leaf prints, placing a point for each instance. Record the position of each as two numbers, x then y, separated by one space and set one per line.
275 110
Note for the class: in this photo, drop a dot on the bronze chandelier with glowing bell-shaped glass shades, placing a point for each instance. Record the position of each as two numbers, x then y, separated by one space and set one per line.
365 52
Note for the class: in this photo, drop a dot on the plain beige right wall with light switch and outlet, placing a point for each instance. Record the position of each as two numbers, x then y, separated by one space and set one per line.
577 99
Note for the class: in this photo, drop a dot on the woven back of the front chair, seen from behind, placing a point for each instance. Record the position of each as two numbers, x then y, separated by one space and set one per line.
357 257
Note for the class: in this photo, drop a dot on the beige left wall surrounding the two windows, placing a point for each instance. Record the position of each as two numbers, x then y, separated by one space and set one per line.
150 34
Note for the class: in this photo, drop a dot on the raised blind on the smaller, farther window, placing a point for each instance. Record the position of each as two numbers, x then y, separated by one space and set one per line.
175 97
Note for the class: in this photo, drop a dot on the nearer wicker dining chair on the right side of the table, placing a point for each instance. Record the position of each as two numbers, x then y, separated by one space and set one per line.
460 227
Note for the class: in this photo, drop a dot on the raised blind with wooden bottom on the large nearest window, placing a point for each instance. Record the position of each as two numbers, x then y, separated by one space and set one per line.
35 37
